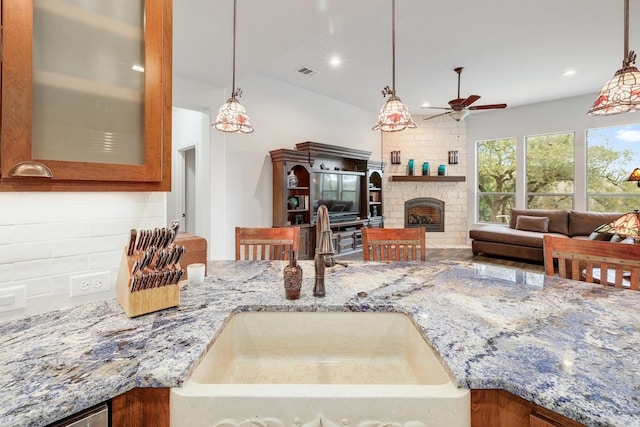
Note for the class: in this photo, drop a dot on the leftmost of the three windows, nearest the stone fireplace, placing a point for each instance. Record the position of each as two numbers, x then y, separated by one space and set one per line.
496 179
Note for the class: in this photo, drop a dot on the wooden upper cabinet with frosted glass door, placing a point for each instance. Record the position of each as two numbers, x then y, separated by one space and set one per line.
86 93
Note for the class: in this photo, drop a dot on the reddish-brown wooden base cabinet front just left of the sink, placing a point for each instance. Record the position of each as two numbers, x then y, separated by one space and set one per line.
141 407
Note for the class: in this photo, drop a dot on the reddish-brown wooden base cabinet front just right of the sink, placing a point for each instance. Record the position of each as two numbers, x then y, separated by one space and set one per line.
499 408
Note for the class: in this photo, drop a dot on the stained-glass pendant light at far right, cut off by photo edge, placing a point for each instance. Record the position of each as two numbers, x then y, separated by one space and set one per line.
621 94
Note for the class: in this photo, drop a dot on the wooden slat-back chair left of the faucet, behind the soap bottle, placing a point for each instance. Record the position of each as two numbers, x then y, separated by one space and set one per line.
266 243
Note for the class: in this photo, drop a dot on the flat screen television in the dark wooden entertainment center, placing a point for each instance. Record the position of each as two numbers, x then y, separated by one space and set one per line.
339 192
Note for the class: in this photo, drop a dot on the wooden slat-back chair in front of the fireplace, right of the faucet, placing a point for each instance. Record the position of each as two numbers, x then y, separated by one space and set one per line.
393 244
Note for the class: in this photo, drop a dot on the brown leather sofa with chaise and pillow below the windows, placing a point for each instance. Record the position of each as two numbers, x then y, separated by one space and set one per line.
523 238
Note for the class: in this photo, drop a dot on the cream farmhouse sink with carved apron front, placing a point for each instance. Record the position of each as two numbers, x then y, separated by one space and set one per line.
313 369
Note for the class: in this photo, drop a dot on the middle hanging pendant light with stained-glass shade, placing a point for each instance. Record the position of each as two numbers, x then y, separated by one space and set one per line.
394 115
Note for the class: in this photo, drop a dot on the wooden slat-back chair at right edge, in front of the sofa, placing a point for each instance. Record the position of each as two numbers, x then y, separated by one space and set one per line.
607 263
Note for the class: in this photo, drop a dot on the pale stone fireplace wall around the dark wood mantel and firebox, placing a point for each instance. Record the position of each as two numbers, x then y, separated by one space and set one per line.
430 142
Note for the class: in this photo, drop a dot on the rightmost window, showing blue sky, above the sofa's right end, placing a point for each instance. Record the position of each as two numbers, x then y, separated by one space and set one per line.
612 154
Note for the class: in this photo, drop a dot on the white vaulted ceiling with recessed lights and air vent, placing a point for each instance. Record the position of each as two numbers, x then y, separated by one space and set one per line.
512 51
